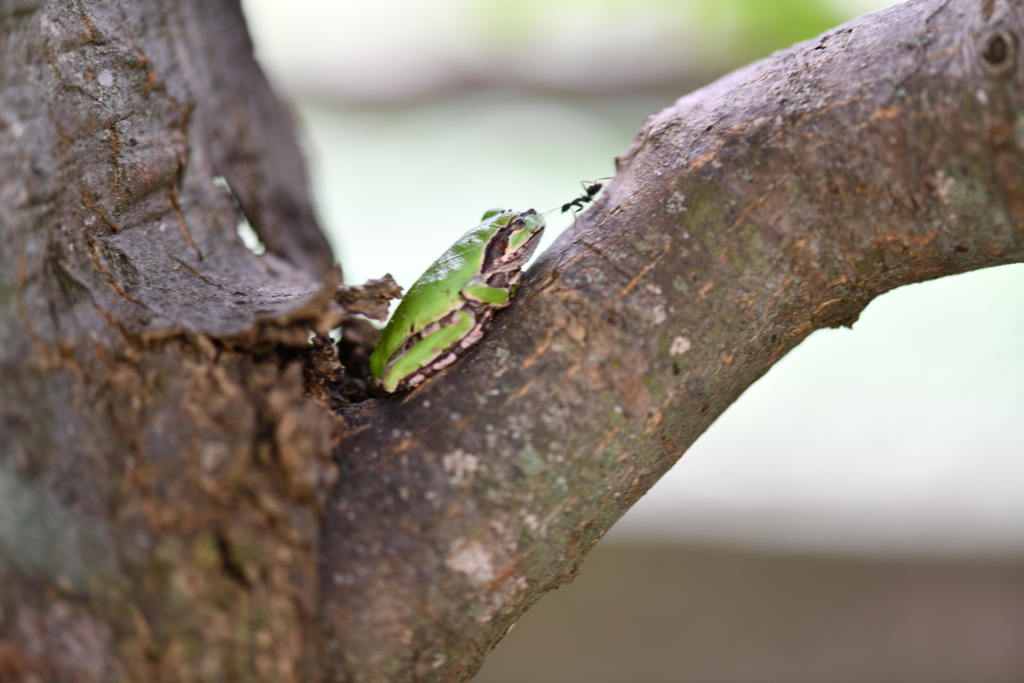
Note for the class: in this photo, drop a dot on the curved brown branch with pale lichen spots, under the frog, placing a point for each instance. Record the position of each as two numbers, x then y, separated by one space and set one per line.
780 200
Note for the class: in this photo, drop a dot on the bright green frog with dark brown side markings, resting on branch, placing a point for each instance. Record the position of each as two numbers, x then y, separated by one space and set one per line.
451 306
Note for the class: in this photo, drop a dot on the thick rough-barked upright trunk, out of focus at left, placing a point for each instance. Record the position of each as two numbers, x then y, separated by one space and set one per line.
161 461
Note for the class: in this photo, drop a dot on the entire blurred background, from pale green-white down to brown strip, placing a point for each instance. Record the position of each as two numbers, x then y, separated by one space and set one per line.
859 516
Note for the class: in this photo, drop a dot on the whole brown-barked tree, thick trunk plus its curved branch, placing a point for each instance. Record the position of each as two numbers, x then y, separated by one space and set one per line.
187 494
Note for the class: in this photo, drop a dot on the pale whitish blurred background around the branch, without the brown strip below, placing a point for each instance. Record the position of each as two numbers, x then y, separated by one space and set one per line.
901 439
